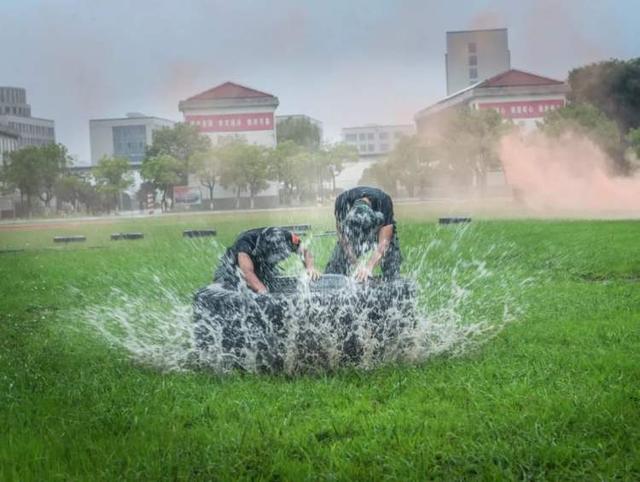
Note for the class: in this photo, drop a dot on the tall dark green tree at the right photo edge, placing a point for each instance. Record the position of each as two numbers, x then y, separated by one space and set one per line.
613 87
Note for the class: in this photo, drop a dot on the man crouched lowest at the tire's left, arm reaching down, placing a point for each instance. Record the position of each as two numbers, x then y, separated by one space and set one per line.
253 258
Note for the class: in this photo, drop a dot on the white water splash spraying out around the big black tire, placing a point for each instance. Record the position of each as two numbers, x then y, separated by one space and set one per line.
466 293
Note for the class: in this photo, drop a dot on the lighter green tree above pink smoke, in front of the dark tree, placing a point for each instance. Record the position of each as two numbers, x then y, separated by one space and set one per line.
589 121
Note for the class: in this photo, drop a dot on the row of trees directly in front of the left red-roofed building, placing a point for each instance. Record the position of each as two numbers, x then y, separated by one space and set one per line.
299 164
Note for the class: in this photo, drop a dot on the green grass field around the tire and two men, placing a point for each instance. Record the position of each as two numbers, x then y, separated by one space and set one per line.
555 394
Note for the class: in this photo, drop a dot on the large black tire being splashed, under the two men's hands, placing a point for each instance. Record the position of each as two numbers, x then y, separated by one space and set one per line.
238 329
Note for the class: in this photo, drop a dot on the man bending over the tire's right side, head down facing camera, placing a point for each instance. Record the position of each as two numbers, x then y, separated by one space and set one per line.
364 221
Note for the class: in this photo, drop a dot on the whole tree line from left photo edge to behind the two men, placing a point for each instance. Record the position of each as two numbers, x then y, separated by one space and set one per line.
301 165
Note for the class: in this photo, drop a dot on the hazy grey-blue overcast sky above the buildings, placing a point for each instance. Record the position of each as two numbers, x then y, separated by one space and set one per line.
343 62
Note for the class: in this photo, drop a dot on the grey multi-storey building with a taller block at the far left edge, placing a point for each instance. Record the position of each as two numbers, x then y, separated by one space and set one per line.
15 113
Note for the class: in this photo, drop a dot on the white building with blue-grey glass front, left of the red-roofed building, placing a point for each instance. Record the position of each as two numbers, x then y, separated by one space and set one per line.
126 137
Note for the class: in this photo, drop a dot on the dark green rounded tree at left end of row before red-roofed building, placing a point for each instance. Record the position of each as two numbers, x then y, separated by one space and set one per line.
181 142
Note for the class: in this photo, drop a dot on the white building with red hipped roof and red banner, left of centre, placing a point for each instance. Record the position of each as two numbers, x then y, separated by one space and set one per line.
231 110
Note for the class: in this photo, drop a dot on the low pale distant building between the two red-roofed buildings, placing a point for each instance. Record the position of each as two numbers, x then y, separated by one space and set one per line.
375 140
